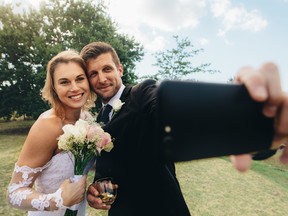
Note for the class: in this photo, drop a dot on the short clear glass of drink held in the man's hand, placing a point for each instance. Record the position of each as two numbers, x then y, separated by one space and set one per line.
107 190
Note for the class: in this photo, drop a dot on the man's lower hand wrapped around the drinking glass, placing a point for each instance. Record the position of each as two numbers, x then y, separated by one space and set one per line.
93 200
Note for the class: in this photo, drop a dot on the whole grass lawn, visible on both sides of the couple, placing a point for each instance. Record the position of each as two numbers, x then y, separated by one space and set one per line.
210 186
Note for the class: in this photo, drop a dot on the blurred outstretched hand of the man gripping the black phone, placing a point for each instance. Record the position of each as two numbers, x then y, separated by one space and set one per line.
264 86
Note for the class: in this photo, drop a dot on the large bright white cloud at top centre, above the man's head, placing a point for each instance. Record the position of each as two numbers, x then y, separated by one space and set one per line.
155 18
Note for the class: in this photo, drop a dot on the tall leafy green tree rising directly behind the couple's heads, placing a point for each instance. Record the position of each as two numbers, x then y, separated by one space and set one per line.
72 23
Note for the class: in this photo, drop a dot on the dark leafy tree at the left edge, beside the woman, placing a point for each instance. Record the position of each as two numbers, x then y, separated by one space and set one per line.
18 87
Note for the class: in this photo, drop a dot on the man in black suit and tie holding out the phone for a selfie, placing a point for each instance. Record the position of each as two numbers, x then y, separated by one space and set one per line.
148 186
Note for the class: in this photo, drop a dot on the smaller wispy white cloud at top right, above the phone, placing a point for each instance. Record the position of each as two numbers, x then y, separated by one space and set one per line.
236 17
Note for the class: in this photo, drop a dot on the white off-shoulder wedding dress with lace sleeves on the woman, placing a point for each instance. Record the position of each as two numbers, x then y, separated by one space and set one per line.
46 186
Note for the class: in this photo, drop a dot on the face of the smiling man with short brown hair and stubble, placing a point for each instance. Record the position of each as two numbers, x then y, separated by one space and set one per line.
104 76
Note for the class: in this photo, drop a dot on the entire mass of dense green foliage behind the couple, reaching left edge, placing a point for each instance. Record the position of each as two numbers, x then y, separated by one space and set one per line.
28 40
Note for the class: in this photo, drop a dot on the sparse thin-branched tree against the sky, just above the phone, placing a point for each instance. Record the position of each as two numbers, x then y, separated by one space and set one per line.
176 63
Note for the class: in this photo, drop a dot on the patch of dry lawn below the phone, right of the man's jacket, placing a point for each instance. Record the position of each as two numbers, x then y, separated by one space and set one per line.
213 187
